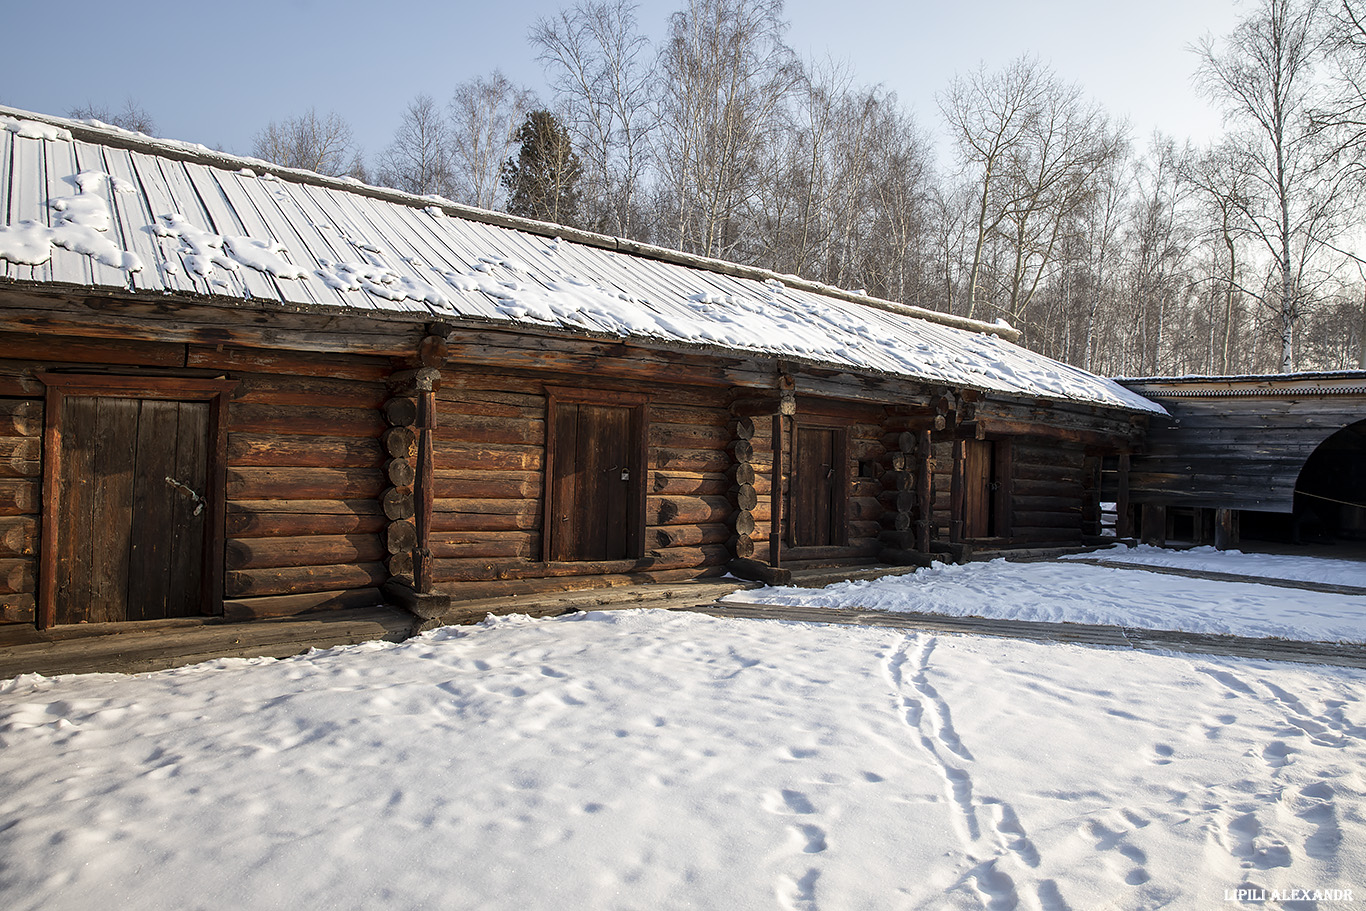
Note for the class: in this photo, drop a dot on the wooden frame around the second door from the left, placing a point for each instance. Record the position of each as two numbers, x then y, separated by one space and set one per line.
637 404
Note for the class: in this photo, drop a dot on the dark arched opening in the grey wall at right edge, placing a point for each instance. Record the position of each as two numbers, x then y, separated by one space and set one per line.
1331 490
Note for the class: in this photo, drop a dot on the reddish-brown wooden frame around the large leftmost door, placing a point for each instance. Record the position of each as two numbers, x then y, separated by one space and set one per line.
215 393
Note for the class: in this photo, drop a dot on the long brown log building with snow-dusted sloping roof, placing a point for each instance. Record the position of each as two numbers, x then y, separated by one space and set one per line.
236 390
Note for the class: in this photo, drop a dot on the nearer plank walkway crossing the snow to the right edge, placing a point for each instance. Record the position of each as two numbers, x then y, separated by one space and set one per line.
1350 656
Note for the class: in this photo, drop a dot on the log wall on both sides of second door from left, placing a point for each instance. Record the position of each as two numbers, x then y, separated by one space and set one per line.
490 503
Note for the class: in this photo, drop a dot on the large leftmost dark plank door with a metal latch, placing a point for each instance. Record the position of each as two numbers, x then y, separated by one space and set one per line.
130 509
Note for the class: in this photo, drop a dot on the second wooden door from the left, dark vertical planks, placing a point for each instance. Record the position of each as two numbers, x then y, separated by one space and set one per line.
595 488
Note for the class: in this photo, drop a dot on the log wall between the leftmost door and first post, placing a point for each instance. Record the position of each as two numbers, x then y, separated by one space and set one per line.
307 528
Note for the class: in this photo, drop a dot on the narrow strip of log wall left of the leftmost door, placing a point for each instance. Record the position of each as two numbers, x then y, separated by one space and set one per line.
21 505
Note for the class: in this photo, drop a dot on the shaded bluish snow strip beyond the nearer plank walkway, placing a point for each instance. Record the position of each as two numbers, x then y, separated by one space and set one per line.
1080 593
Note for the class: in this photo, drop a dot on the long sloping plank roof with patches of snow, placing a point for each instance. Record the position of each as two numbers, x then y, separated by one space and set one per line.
98 207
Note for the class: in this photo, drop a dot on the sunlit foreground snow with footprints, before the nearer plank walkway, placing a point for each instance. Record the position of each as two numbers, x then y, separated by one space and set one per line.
656 760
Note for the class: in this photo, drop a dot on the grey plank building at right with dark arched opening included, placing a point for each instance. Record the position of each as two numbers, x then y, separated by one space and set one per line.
1283 445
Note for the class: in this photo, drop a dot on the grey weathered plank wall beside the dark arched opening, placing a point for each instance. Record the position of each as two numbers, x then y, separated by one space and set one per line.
1238 443
